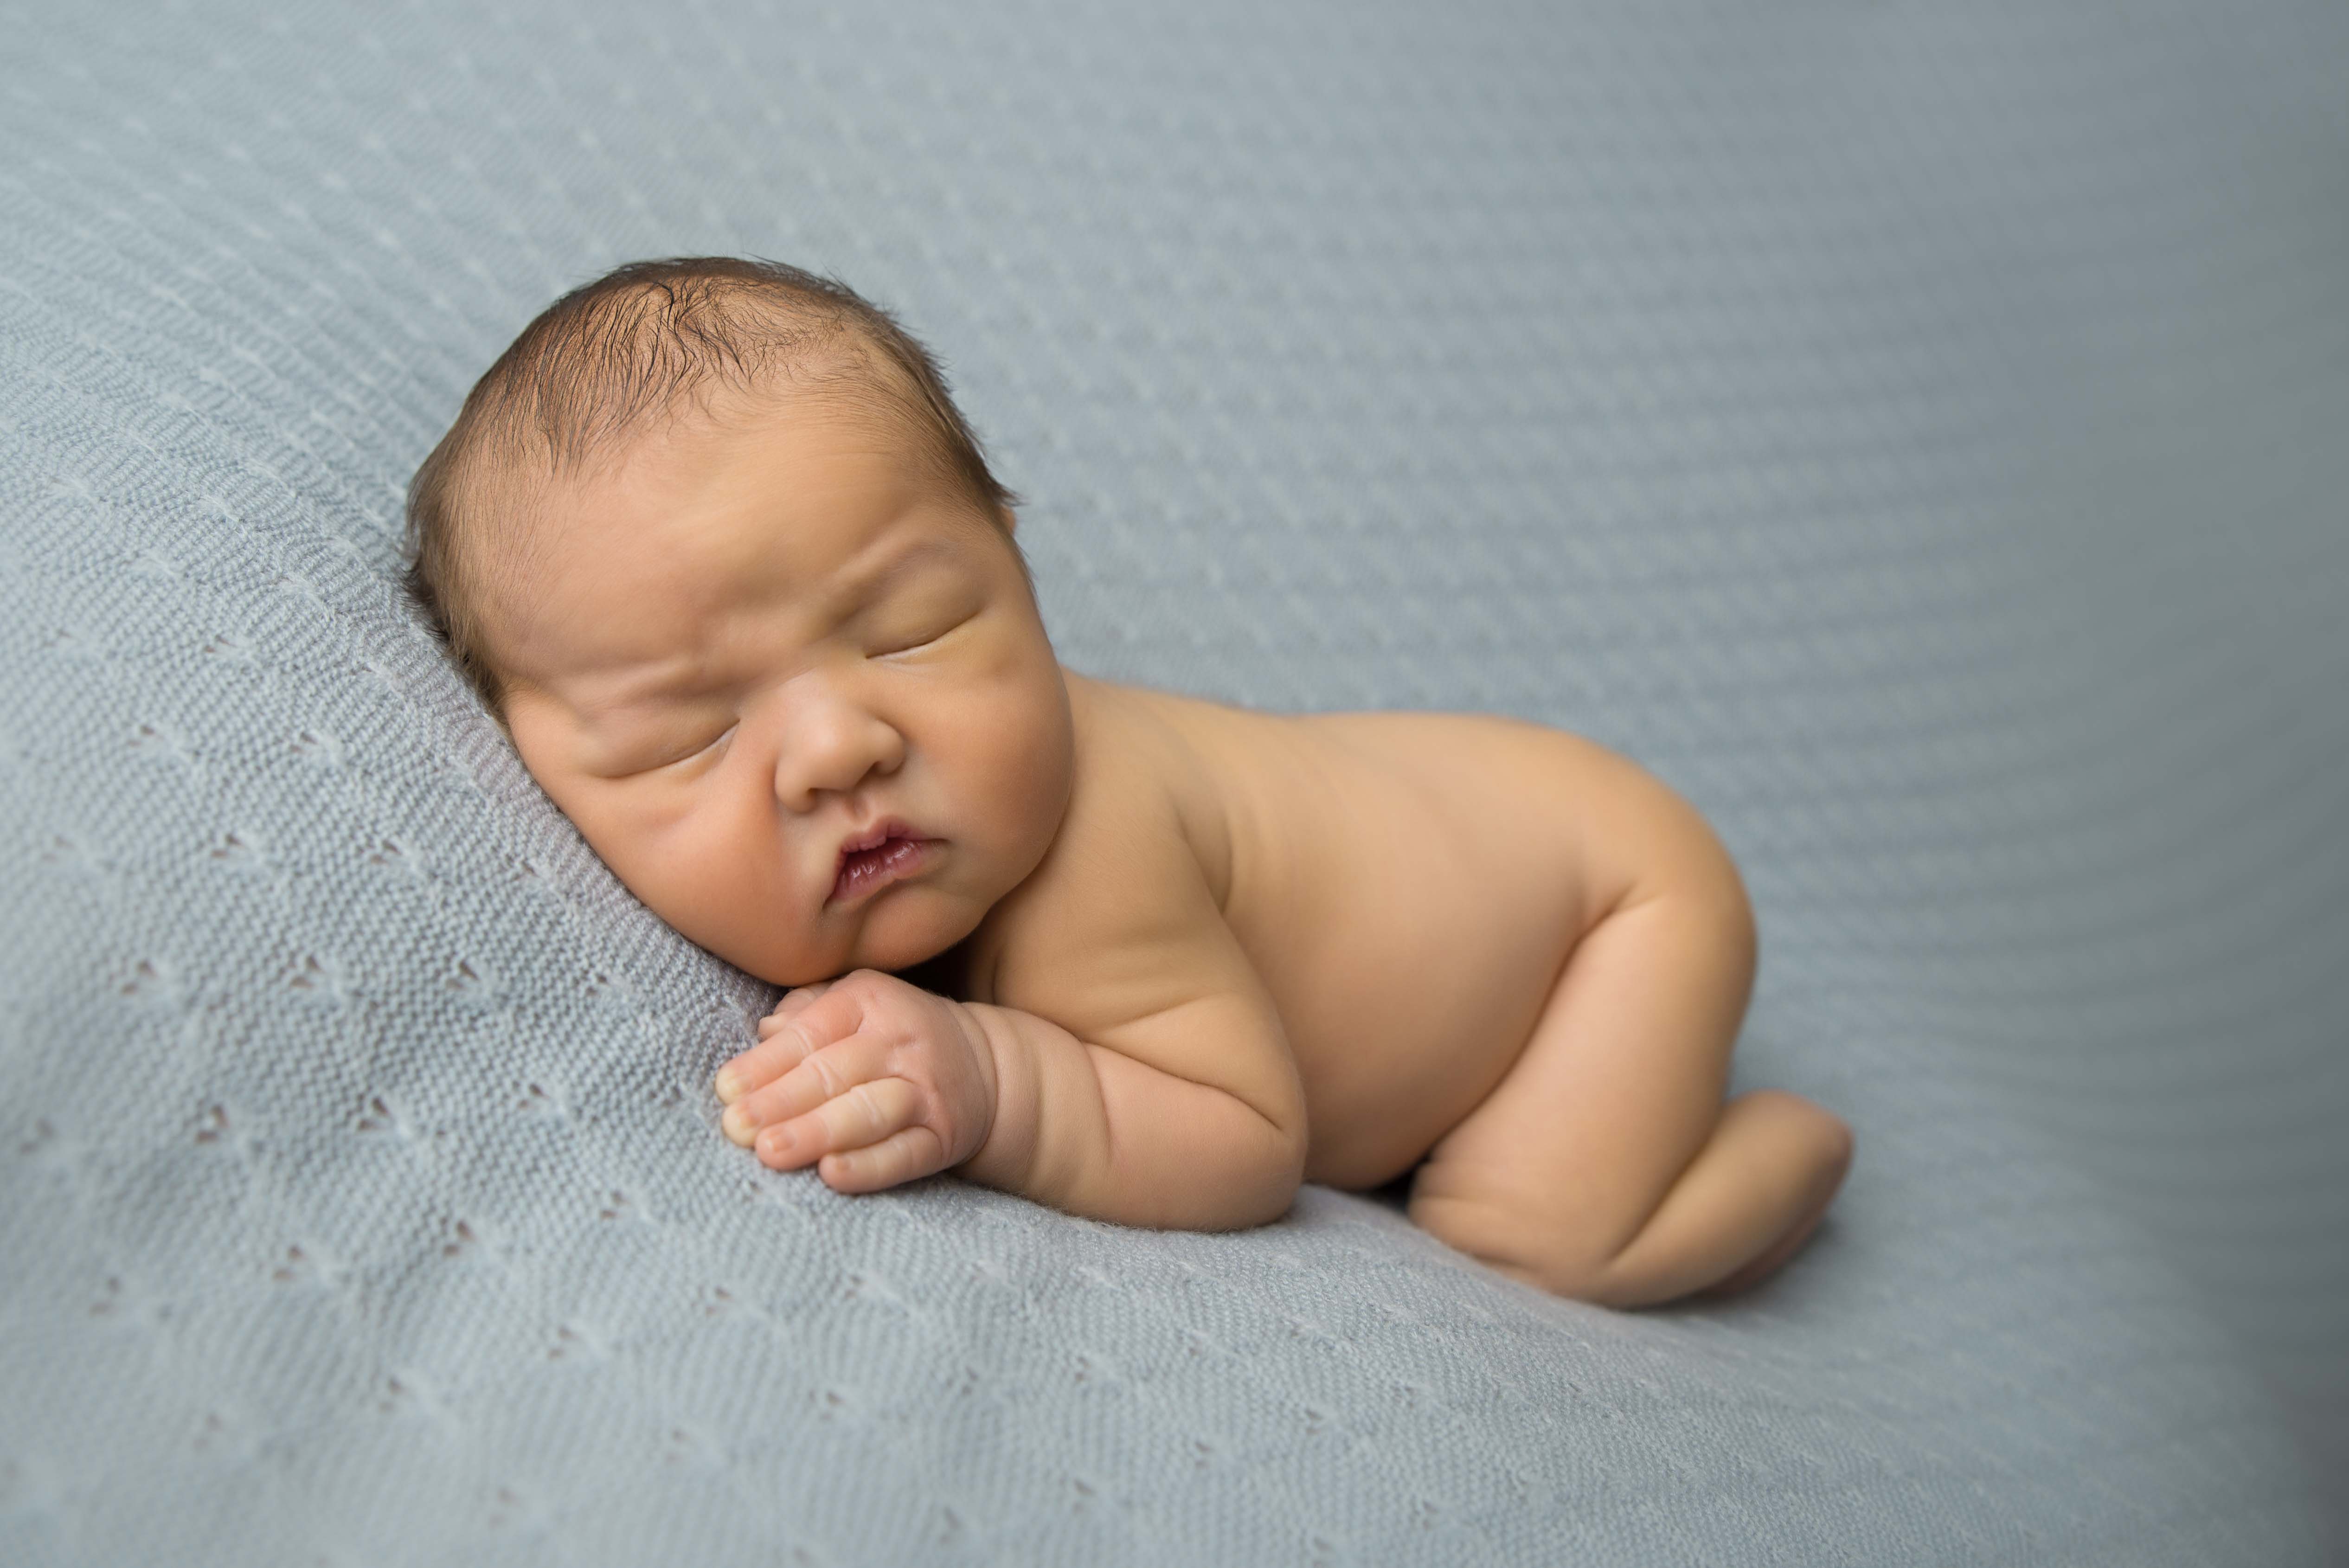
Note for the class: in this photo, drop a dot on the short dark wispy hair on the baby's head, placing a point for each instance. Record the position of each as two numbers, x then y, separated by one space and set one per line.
631 349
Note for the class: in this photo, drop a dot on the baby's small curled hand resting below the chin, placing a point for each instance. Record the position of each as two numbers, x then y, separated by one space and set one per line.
868 1078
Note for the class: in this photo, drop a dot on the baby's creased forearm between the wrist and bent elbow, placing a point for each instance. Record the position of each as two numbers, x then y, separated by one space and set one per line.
1093 1132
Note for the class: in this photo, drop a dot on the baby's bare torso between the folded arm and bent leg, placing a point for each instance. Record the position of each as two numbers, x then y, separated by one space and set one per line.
1408 887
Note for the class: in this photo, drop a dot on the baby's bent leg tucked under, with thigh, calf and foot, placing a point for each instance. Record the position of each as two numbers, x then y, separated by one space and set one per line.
1606 1167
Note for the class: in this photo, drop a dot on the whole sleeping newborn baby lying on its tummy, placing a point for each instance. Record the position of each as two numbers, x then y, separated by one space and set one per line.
718 549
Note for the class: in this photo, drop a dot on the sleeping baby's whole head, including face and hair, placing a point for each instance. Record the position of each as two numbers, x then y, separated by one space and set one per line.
718 549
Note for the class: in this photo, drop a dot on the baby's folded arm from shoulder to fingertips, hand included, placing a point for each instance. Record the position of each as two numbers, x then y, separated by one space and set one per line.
1159 1092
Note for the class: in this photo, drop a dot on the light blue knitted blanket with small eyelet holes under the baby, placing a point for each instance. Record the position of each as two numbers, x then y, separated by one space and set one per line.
1913 431
